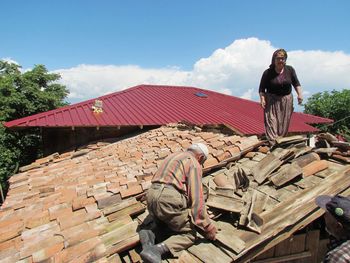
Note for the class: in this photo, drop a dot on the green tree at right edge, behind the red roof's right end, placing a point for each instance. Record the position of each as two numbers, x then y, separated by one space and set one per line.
334 105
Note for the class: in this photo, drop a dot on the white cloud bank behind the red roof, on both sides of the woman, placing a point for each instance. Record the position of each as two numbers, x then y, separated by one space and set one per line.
235 70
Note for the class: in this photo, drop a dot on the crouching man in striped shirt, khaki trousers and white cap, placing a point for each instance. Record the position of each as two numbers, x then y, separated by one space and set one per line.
176 203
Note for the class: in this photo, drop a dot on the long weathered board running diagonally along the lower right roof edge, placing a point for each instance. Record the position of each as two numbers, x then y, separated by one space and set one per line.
296 211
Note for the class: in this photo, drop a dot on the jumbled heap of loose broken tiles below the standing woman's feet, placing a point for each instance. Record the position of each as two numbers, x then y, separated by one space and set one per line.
251 185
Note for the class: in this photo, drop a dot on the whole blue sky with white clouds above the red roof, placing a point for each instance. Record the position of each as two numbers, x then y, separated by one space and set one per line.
104 46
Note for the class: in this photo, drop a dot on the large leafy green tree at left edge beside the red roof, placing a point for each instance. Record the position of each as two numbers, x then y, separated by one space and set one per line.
23 94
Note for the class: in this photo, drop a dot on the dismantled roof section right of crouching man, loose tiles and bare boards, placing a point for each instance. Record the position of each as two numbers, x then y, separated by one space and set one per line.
263 186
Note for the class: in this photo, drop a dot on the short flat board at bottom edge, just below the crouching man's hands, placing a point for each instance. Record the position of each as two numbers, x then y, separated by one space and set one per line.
207 252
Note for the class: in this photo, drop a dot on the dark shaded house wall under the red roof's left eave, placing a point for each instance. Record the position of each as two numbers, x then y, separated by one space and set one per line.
64 139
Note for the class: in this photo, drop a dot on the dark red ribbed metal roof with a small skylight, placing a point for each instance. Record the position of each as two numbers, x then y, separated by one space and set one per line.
158 105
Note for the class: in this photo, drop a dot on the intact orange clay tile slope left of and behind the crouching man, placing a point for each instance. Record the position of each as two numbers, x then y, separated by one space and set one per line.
80 206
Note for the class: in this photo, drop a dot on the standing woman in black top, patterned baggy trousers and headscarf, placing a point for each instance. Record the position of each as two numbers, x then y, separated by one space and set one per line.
276 98
